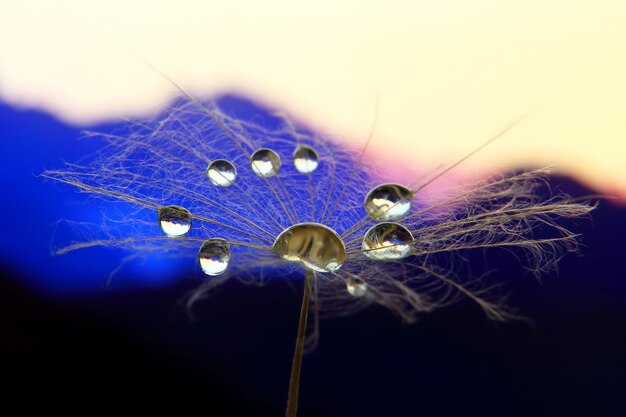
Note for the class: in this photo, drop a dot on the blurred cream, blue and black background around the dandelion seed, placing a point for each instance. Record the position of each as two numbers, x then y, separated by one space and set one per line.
436 81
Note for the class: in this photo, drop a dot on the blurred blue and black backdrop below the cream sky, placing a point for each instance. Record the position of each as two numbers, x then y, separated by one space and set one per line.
71 342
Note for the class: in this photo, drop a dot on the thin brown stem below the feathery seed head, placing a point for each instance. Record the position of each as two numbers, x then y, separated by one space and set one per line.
294 380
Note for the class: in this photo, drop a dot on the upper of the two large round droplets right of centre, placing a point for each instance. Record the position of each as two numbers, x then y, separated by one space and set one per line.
388 201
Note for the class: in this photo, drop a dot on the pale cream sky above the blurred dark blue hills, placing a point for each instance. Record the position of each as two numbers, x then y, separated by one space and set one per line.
447 74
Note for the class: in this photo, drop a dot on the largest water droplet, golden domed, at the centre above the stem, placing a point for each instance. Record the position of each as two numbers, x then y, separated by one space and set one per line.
317 246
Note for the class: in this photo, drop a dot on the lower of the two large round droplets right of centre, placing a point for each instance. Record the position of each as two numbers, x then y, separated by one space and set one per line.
387 241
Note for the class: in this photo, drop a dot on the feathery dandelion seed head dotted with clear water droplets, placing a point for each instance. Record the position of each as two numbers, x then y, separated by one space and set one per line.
257 197
